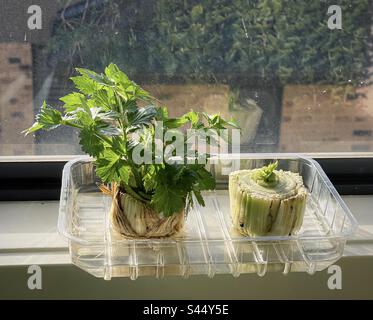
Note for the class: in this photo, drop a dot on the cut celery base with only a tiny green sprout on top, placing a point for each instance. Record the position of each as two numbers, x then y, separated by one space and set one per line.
267 201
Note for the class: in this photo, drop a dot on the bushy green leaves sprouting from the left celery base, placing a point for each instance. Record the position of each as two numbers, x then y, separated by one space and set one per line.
106 110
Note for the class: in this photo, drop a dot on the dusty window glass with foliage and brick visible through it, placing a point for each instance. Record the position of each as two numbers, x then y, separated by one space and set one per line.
295 74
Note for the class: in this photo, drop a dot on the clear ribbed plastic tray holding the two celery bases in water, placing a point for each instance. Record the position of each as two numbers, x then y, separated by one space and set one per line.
208 244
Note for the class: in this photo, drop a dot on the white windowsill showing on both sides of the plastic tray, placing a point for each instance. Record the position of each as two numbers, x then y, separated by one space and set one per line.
28 232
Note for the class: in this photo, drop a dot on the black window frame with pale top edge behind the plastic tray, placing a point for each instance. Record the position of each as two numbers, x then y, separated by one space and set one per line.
38 178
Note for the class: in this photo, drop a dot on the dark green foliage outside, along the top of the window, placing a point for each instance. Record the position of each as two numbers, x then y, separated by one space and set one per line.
226 41
